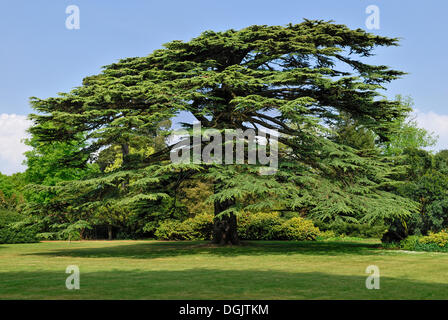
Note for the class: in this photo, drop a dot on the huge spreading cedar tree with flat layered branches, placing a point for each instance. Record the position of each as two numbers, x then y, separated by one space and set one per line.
299 79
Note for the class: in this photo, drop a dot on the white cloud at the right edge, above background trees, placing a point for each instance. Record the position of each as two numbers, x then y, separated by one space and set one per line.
437 123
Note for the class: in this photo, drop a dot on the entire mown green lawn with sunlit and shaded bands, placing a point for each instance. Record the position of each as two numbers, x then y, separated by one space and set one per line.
198 270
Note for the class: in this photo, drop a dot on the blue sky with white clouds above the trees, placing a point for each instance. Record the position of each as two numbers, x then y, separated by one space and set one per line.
40 57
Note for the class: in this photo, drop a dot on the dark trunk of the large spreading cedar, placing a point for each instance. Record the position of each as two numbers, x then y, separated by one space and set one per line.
225 227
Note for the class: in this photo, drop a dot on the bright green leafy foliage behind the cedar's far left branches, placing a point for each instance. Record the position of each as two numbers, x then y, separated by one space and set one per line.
46 168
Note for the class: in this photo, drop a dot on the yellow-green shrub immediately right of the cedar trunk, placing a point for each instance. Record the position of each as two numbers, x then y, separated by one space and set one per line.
259 226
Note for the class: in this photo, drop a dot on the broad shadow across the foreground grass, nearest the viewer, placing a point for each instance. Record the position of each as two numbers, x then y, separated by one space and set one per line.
212 284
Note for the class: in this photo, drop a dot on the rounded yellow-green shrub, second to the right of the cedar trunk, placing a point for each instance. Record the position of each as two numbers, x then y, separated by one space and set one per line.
298 229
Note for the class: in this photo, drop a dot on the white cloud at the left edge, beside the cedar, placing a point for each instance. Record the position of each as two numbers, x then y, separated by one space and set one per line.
12 131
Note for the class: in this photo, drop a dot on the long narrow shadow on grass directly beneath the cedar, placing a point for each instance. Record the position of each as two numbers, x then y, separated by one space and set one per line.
160 249
